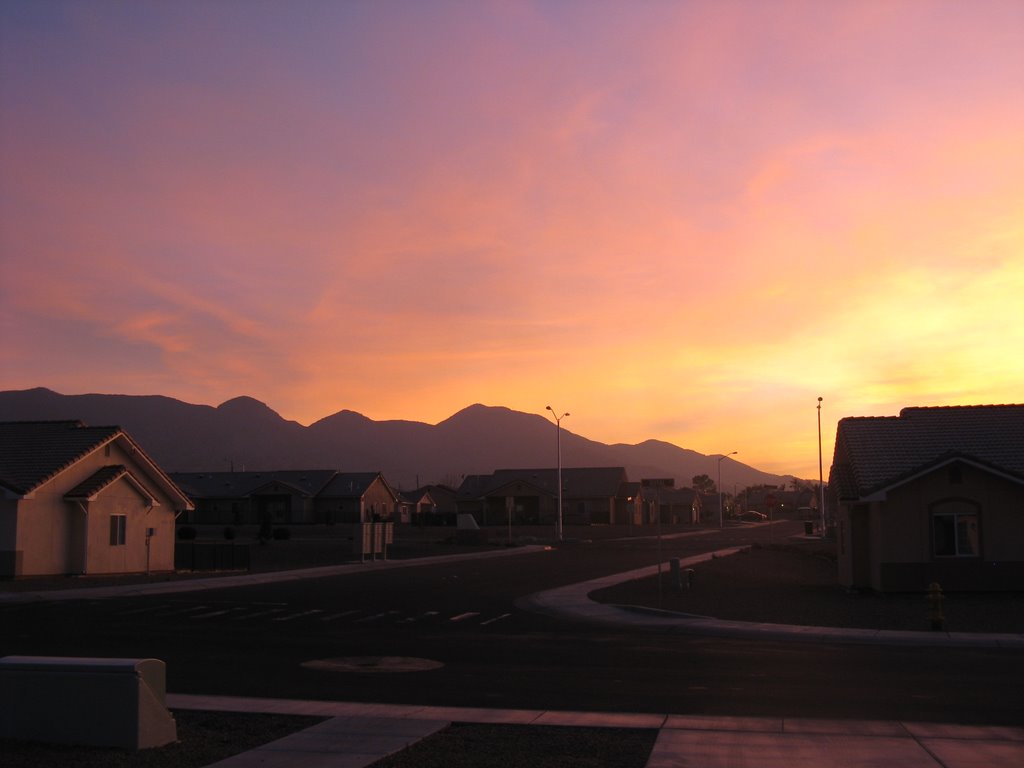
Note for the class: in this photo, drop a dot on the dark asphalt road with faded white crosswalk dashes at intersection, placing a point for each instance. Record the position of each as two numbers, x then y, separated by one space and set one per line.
463 617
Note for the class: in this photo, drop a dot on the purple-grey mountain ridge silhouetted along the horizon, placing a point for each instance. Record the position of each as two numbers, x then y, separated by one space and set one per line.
244 434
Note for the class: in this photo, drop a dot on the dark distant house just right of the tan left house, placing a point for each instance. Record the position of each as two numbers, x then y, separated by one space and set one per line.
288 497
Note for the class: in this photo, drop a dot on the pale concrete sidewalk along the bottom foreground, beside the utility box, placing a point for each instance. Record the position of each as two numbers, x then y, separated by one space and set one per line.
359 735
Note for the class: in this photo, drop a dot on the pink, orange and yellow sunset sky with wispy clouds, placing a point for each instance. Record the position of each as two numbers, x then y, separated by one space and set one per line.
679 221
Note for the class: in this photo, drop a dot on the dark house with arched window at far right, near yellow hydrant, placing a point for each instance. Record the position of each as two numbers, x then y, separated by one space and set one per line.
933 495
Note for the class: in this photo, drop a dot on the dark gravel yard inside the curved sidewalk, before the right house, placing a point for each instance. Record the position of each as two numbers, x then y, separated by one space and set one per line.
796 584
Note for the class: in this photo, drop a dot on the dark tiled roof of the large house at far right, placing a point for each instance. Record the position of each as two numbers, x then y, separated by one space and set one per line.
875 453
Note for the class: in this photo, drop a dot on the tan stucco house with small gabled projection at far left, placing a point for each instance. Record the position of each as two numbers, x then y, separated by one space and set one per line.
83 500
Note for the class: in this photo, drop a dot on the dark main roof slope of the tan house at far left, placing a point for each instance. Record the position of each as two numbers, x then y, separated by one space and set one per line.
32 453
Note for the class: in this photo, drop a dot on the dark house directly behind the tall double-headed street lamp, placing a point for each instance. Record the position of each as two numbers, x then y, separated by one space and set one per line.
590 495
